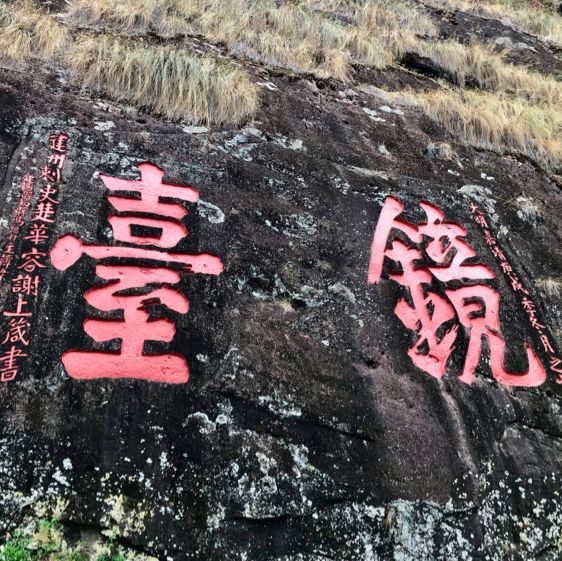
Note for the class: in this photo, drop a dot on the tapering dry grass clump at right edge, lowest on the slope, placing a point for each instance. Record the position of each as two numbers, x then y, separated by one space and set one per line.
495 122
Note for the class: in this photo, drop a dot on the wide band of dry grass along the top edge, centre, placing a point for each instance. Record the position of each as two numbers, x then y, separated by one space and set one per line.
306 36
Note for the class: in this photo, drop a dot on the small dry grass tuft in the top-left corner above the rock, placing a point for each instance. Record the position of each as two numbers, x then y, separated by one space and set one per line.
27 32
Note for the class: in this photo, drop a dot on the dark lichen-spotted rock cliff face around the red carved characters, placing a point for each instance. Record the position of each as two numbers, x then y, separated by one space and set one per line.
306 431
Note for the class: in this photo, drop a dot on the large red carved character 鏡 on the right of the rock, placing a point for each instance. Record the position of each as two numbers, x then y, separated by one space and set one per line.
434 318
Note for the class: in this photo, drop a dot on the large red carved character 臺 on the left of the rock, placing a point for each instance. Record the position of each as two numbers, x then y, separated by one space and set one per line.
134 290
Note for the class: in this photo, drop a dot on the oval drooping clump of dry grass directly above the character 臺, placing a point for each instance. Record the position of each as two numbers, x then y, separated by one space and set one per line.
165 80
